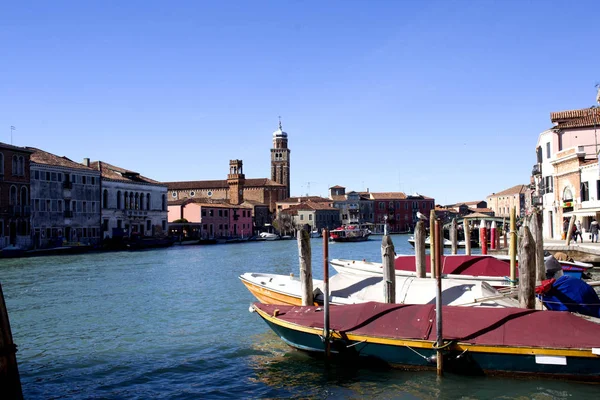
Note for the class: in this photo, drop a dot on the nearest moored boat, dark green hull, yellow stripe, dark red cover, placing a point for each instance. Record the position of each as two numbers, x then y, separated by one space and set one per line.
476 341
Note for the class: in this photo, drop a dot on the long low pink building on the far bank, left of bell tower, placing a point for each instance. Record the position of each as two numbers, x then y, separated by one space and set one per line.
214 219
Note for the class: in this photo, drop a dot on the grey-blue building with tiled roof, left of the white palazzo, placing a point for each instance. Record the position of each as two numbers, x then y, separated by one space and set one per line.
65 201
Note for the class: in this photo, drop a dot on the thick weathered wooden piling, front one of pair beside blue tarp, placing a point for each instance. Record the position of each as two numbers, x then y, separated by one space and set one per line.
527 269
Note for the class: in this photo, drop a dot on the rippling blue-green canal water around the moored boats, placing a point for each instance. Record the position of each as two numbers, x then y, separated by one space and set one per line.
174 324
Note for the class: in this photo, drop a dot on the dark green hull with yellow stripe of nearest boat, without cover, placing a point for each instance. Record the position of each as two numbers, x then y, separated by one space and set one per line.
461 358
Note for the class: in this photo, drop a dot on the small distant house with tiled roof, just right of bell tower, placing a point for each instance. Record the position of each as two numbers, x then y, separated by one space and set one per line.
314 215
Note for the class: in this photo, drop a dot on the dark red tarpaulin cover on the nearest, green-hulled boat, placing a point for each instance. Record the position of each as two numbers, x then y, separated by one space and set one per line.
484 326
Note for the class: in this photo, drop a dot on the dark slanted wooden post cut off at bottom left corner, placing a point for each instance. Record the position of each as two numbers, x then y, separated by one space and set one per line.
10 383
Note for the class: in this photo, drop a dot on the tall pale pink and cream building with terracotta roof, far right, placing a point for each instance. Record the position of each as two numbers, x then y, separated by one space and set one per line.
563 152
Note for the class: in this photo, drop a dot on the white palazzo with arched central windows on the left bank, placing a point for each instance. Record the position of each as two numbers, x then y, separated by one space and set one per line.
130 203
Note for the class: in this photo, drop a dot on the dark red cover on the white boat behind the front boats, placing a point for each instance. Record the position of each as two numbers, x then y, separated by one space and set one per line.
460 265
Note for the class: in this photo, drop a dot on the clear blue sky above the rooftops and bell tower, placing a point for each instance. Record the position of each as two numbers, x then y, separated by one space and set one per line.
444 98
